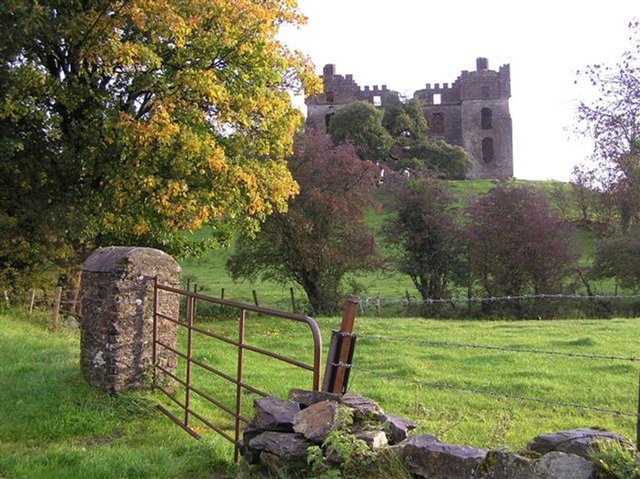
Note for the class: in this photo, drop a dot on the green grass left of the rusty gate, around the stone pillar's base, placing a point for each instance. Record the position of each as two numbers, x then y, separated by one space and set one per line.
53 425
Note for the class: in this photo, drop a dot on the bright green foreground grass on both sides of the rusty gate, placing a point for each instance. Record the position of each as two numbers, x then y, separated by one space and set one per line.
55 426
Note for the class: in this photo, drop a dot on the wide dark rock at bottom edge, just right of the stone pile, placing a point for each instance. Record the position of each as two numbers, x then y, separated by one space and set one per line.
426 457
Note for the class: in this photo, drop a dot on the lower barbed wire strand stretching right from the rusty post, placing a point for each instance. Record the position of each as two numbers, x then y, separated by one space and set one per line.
495 394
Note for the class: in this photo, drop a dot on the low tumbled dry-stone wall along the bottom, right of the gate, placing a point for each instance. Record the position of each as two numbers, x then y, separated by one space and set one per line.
277 442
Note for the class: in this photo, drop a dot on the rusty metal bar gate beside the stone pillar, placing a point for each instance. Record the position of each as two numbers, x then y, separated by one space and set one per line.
178 386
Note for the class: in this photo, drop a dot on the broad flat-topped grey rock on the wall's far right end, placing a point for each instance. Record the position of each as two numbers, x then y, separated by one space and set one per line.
574 441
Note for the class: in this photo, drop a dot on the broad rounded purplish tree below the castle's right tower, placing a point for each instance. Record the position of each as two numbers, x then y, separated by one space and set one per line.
516 244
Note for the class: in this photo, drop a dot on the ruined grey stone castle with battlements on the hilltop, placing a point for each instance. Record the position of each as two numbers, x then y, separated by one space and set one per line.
472 112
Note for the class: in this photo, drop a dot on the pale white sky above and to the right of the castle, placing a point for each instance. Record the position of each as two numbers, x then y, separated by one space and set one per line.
406 44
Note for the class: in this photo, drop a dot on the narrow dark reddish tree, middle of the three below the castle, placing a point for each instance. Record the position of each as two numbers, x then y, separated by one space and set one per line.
422 235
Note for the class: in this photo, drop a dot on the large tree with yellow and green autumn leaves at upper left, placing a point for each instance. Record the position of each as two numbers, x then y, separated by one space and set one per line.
131 121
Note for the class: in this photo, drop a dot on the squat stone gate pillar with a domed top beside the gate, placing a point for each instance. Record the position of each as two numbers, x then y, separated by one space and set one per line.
117 316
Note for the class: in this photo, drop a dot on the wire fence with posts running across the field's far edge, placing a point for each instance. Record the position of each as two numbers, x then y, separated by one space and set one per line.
521 306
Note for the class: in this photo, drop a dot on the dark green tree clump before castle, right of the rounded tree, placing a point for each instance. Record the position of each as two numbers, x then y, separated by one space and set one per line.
413 149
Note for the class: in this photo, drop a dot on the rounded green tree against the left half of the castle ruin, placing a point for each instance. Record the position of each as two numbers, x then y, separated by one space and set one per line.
361 124
